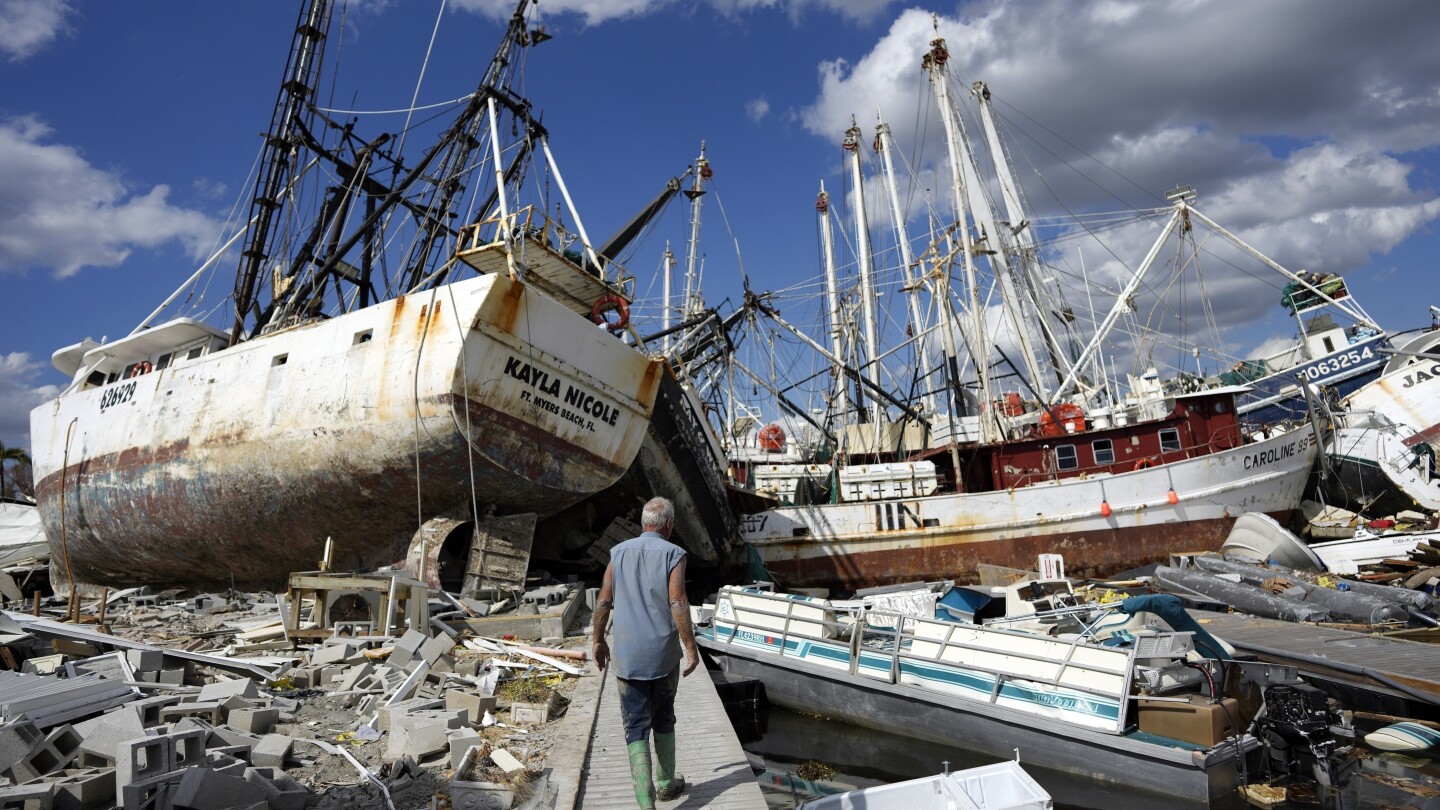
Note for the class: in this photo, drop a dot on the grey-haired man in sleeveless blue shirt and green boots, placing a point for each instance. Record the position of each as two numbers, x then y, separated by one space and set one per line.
646 590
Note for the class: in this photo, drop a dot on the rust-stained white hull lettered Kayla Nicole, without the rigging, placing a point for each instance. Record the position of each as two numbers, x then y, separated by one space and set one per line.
244 462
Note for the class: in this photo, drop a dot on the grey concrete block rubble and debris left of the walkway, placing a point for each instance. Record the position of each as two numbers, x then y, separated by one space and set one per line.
325 698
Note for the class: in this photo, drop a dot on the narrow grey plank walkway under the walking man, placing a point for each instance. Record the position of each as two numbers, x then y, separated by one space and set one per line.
708 753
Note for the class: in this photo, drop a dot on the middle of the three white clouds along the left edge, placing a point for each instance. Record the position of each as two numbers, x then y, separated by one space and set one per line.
51 194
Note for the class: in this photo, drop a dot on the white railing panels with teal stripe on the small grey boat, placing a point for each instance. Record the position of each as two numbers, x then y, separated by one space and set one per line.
1006 657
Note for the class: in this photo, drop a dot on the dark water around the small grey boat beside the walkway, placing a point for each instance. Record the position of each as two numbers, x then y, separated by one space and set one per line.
778 742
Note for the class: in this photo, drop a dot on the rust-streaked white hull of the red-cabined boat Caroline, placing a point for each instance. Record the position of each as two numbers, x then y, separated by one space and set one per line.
948 537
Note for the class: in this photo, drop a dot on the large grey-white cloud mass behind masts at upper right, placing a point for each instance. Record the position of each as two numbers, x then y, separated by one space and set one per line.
1295 123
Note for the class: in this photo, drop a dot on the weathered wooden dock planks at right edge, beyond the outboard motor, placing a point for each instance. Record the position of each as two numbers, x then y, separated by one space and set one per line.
1330 651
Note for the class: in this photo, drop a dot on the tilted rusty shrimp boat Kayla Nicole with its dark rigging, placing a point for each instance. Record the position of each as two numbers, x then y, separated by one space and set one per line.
410 339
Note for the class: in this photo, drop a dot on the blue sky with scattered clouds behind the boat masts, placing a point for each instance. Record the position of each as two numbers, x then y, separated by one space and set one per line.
1313 130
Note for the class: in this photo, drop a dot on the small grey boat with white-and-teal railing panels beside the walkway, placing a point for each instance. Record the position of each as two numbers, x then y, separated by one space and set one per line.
1078 688
